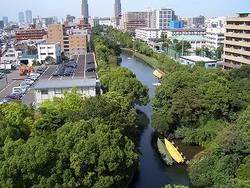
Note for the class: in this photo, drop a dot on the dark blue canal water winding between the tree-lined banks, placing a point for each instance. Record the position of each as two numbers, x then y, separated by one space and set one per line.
152 172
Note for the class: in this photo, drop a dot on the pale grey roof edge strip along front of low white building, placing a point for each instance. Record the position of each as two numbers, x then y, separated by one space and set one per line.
58 84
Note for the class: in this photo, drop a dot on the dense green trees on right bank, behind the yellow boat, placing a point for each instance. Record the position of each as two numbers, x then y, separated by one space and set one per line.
209 108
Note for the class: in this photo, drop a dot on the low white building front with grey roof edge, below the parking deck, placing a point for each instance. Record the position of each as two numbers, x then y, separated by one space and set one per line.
48 89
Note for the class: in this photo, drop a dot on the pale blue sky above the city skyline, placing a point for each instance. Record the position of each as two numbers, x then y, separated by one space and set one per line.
105 8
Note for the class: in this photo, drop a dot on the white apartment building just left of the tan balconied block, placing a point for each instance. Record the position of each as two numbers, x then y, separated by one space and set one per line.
215 37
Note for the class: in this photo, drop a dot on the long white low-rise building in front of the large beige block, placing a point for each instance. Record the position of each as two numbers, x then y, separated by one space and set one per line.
146 34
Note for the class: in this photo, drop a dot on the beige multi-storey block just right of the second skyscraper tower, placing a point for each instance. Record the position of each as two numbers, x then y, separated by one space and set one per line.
133 20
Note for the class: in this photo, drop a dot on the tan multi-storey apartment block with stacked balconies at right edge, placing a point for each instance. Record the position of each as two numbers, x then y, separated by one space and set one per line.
237 41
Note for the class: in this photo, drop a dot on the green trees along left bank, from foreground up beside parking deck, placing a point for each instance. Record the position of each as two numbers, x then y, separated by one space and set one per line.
75 141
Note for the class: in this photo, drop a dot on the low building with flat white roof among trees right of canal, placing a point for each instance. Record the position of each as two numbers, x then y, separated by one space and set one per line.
193 60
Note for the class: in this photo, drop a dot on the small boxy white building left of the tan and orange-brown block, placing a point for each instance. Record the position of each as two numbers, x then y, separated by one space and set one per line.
50 49
